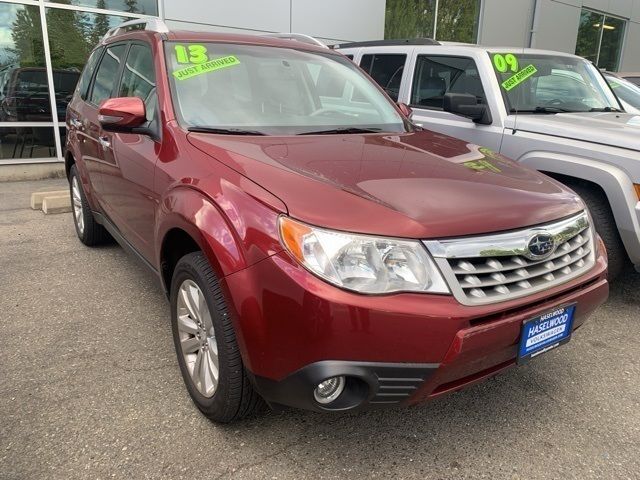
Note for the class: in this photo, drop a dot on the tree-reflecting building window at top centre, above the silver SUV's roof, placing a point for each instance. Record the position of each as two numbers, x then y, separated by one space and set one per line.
447 20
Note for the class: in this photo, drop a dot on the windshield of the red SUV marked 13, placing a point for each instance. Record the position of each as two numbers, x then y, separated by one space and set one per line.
265 90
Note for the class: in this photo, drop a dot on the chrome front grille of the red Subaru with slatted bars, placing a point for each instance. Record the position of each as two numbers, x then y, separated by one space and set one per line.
500 267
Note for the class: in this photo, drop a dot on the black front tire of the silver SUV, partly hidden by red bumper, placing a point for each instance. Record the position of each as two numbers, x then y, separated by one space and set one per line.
606 227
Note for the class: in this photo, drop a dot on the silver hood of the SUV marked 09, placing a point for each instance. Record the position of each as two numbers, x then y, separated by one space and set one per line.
606 128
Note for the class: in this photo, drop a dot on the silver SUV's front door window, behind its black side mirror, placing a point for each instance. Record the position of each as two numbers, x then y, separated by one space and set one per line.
434 76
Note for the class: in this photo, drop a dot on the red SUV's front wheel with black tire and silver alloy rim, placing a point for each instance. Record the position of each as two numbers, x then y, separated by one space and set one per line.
205 343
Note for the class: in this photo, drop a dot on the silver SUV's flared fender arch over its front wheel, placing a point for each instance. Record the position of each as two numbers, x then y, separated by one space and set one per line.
616 184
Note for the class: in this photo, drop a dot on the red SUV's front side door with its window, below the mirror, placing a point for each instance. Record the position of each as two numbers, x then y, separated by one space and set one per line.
130 159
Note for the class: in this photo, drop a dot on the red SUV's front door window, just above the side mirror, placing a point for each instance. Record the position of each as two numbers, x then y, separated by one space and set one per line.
139 77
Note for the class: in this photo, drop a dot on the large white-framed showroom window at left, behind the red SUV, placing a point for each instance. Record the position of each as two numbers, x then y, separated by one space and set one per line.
43 48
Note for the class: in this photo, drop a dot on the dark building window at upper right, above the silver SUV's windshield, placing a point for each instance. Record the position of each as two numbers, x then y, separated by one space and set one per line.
600 39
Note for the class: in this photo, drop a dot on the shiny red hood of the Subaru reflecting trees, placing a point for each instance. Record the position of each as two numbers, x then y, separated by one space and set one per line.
415 185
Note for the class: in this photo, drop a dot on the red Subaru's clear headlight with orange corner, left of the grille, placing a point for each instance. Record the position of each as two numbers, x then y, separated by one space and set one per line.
362 263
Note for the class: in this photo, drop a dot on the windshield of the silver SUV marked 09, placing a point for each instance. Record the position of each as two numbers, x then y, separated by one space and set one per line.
533 83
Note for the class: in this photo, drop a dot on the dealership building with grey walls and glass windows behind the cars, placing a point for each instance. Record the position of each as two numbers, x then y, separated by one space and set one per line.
44 44
